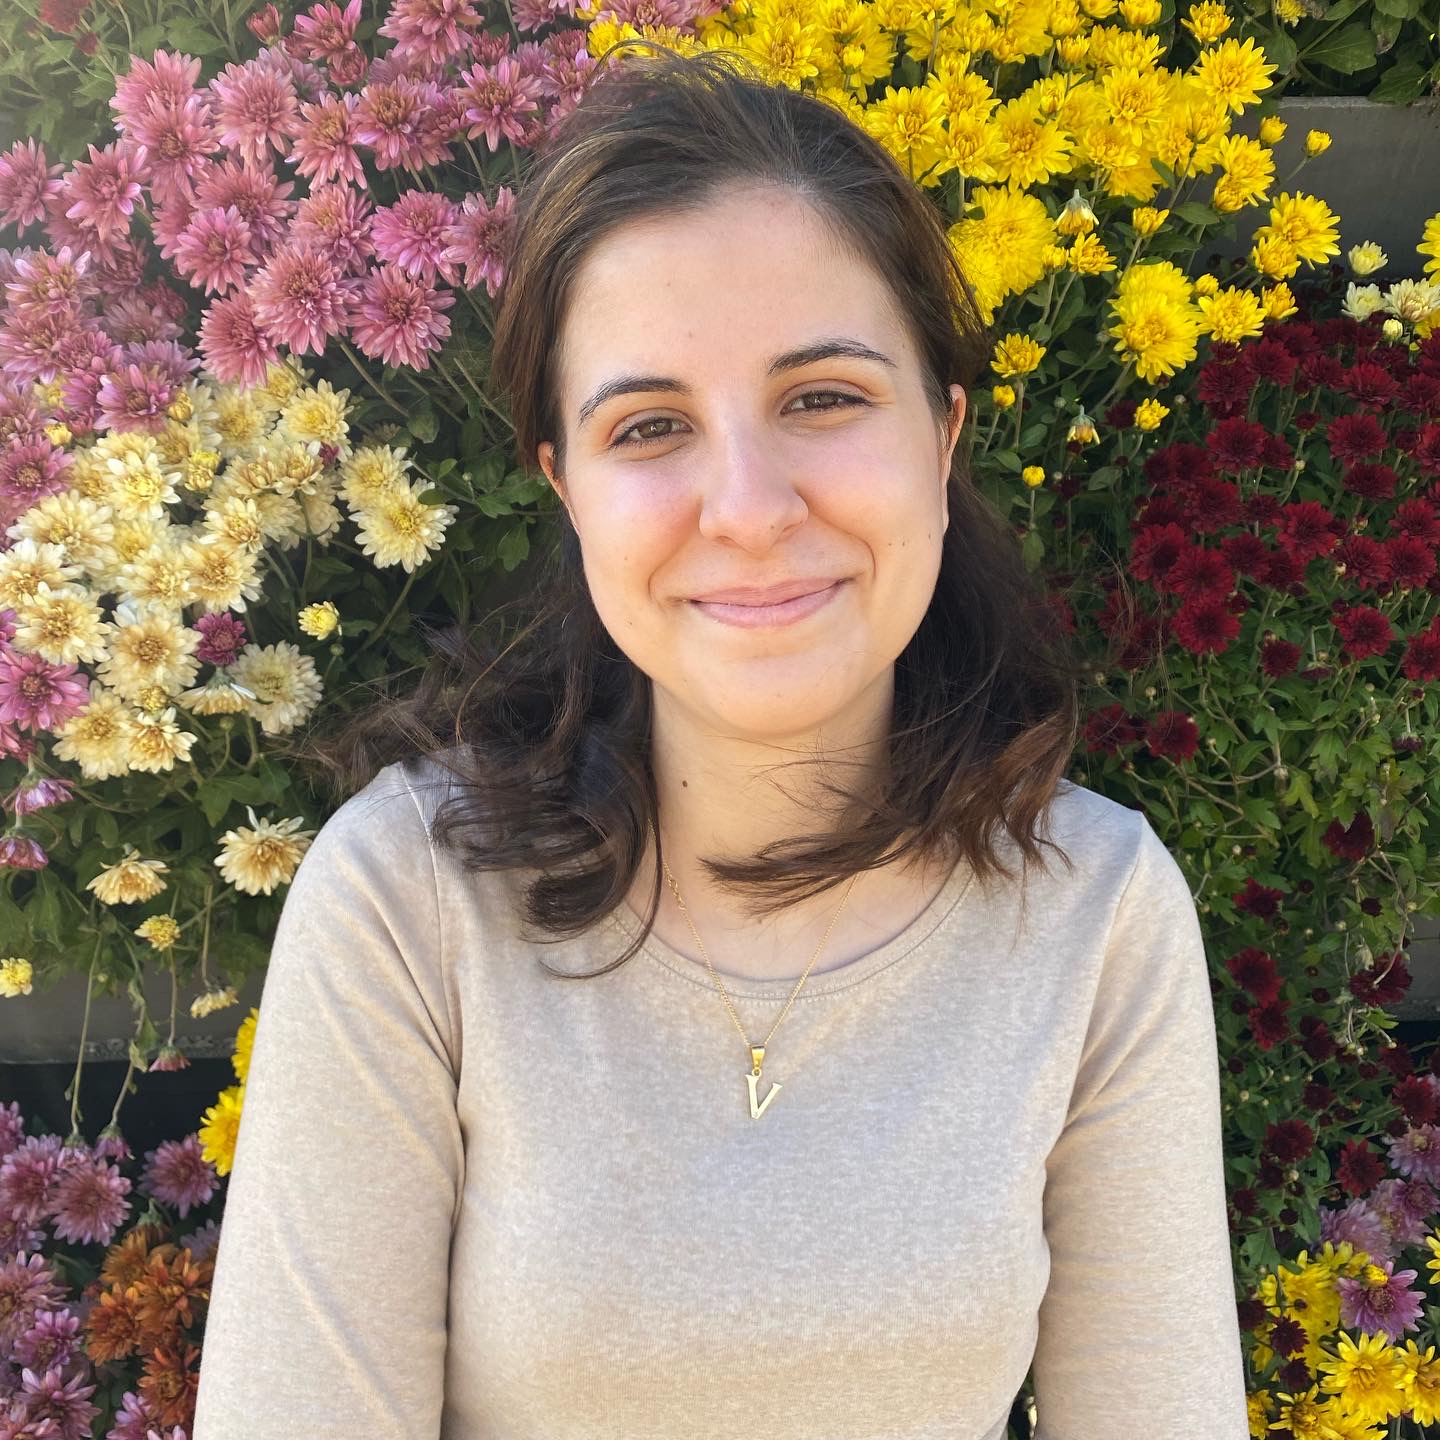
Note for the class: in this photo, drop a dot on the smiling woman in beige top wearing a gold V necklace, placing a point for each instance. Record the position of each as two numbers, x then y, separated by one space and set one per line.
862 1122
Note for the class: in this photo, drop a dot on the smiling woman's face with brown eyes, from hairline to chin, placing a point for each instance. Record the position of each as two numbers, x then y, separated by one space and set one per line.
701 457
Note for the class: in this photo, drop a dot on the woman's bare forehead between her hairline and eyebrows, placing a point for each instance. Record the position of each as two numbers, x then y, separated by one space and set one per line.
748 274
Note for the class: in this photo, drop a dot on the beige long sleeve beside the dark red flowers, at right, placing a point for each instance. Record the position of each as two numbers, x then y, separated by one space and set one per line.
1138 1324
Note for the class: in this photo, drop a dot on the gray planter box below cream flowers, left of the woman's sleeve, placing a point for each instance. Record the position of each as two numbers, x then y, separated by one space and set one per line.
45 1026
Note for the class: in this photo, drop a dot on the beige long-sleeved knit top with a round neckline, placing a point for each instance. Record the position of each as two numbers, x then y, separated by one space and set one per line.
474 1202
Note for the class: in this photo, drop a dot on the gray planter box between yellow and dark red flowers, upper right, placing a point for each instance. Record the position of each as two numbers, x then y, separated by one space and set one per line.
1382 175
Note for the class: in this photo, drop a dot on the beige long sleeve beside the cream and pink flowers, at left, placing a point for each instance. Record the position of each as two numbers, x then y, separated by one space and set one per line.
329 1308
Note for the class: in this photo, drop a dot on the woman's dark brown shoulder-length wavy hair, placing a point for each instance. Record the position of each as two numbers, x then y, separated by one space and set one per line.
546 729
